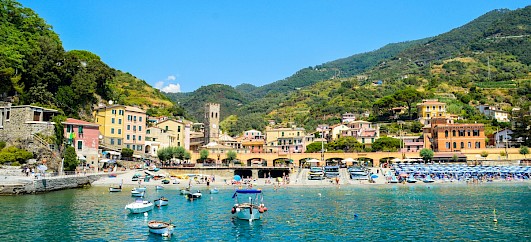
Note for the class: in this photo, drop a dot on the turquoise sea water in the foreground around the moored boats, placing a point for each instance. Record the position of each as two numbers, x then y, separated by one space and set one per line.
385 213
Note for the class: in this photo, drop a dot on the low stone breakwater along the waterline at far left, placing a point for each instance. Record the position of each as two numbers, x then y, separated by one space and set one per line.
29 186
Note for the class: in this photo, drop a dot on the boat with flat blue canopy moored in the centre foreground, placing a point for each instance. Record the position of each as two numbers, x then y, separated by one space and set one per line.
251 210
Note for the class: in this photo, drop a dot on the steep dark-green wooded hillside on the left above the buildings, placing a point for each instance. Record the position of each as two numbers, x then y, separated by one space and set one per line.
35 69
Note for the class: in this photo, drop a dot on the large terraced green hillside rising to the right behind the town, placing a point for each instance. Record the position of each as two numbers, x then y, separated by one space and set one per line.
480 62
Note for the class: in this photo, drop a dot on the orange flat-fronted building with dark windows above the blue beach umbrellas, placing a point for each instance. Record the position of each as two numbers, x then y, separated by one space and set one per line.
446 136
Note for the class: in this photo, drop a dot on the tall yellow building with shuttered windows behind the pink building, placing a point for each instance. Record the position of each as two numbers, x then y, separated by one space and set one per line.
122 127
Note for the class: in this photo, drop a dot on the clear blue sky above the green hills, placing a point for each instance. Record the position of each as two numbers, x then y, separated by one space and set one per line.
182 45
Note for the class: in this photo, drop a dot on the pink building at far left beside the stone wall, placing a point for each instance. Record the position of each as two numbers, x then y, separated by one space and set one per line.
84 137
